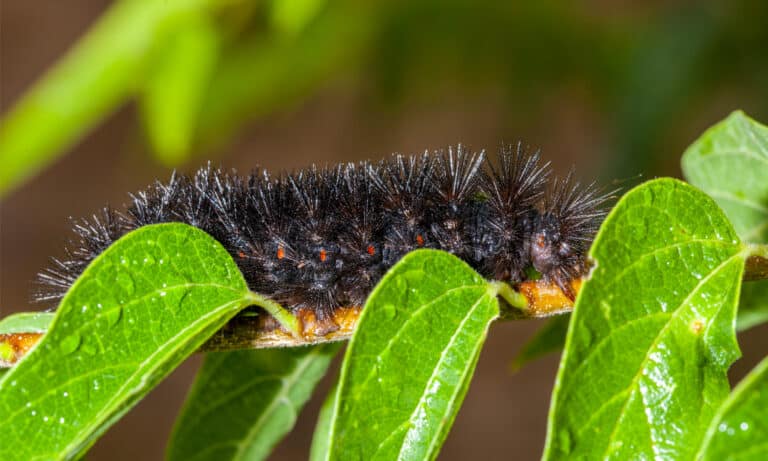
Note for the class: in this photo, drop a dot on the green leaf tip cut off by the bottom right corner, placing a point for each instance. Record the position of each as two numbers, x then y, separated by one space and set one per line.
739 431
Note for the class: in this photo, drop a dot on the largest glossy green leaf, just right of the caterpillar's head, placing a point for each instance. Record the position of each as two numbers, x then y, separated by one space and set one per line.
651 336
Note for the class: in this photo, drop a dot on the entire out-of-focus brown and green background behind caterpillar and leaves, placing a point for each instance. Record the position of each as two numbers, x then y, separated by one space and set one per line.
98 99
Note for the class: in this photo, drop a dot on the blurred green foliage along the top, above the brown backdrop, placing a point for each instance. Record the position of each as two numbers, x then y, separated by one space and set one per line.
201 69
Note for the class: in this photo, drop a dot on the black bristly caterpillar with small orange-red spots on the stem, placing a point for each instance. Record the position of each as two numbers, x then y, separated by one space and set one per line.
321 238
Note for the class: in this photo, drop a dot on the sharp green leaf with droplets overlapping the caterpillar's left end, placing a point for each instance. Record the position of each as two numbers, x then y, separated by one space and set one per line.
138 310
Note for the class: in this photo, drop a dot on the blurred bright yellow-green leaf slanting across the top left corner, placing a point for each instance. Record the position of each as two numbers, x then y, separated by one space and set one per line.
97 75
